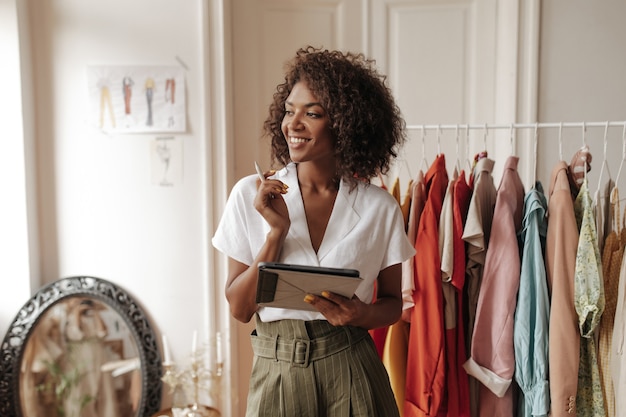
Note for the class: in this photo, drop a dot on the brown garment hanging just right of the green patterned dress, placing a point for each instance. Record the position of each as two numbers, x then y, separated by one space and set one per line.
611 265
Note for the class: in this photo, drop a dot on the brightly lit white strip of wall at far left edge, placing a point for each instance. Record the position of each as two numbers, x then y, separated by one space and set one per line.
16 242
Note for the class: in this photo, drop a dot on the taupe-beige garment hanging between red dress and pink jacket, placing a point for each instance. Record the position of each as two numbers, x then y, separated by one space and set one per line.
476 234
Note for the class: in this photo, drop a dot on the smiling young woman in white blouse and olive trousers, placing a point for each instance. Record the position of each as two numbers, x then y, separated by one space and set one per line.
333 125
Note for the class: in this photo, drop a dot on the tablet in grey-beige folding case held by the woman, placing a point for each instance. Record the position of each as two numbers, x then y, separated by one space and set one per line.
285 285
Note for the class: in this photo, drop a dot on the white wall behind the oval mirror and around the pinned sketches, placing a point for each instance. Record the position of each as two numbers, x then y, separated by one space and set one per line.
98 212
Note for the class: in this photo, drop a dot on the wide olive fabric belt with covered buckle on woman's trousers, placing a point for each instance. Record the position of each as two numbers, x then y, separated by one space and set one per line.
300 352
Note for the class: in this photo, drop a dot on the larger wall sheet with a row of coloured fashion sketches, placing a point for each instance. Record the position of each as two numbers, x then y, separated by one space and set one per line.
137 99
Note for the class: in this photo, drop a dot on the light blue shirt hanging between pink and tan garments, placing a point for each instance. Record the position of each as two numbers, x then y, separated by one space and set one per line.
532 315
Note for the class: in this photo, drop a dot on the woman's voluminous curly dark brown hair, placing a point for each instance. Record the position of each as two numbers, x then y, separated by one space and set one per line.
365 121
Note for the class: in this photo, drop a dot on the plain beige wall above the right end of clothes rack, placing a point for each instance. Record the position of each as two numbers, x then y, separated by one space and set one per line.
581 79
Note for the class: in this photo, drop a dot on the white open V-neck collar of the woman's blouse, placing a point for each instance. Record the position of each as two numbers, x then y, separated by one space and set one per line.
342 220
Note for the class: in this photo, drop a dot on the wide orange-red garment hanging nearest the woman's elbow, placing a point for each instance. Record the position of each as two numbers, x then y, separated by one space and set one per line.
425 363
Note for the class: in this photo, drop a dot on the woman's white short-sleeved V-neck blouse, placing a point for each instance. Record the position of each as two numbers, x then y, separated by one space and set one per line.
365 232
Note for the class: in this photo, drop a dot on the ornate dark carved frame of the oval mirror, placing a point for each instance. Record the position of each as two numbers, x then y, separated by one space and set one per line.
14 343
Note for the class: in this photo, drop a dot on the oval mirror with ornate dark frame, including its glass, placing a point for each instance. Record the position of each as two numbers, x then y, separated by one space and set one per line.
81 346
